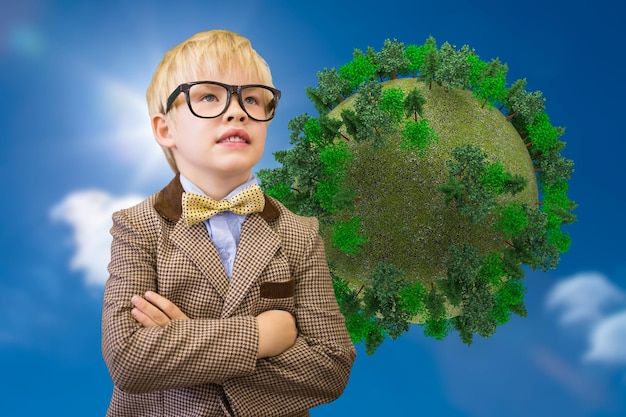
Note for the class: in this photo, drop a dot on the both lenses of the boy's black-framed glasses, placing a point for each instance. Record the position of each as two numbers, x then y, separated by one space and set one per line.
209 100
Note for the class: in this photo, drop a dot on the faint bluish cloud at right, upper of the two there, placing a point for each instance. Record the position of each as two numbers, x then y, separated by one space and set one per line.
584 298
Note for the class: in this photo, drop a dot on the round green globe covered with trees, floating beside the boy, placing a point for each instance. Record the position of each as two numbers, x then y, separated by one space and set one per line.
436 186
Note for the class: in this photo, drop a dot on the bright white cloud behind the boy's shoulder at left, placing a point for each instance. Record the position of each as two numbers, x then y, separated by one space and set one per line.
89 213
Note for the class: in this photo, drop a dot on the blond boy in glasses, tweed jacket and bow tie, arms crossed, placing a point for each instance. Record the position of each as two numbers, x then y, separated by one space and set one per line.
229 315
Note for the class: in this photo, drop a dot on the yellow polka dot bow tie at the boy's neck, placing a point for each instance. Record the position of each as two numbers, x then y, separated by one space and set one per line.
198 208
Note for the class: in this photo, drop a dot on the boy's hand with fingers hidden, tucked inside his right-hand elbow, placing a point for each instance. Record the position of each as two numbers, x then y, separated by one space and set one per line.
277 332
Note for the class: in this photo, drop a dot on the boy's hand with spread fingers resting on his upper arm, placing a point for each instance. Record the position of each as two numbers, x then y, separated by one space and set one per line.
155 310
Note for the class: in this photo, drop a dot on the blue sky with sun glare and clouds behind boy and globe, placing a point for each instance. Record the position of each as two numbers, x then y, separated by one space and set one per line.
77 145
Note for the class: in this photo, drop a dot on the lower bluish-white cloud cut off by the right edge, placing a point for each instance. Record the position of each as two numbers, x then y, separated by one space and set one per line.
608 341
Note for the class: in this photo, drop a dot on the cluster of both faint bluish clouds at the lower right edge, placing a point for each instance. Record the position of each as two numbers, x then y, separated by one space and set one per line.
591 301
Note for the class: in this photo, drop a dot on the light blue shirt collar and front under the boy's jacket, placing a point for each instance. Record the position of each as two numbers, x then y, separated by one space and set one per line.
224 228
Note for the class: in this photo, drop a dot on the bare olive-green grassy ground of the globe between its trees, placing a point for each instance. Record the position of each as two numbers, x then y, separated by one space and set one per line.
402 212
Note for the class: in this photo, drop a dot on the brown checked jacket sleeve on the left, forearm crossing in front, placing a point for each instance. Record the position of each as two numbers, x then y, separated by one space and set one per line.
182 354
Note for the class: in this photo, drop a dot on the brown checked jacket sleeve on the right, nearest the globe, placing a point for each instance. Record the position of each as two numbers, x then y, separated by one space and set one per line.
316 369
